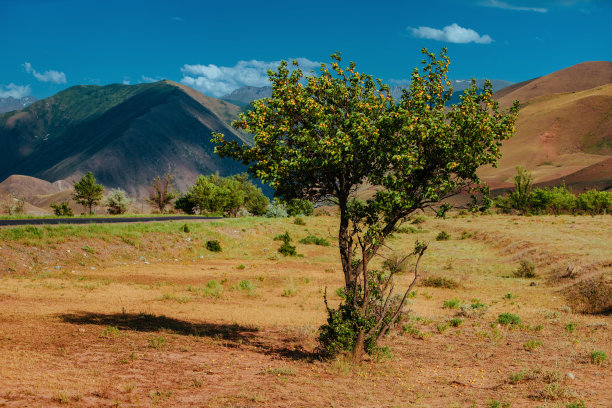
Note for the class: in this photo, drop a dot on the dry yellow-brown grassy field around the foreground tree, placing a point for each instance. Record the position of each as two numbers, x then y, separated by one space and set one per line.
144 328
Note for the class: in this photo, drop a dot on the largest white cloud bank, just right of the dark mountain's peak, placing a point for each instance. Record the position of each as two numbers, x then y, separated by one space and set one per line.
217 80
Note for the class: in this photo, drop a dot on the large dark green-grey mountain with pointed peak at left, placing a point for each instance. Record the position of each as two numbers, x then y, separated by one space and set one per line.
124 134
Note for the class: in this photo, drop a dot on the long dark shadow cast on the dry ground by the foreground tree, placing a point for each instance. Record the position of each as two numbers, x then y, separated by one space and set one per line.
144 322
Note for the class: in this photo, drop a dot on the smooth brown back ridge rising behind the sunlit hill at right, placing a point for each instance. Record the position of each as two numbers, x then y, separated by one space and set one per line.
580 77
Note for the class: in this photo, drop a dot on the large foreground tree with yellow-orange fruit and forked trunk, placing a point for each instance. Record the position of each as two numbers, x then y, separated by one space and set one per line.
322 140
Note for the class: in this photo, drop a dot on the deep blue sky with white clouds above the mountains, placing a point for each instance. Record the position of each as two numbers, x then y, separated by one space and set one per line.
49 45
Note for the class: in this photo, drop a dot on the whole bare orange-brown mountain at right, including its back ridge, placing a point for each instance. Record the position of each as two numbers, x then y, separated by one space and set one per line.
564 129
